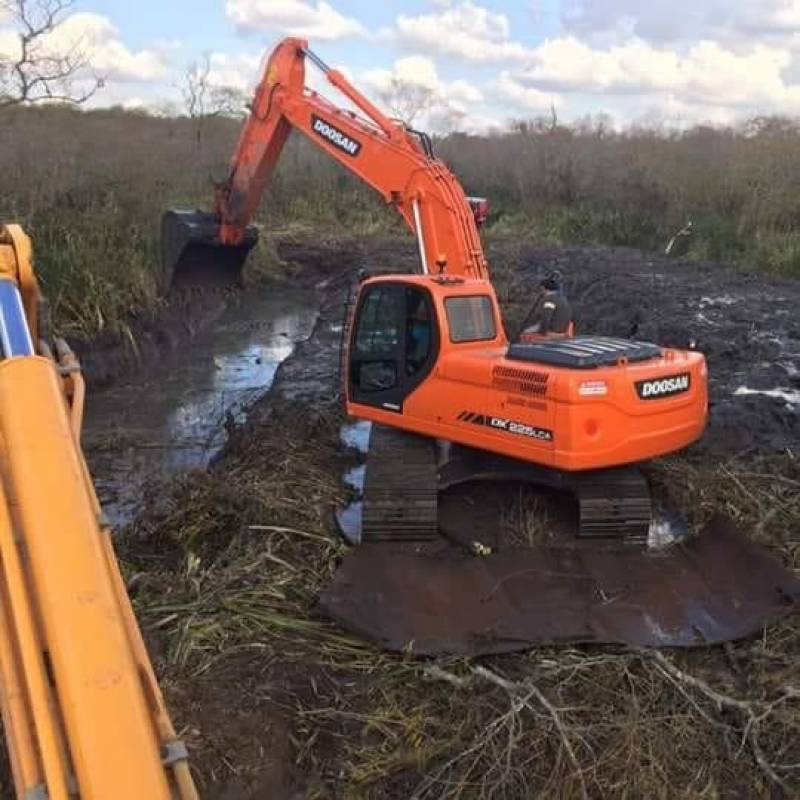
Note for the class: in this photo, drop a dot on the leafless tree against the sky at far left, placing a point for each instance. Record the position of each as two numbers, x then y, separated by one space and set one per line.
37 71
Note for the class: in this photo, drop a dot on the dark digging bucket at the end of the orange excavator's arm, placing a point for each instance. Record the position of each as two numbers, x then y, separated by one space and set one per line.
192 254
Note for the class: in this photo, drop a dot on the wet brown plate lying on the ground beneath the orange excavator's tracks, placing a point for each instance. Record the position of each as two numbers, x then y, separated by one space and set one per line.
716 587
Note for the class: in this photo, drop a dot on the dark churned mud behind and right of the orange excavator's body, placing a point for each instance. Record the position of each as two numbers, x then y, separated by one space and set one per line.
746 324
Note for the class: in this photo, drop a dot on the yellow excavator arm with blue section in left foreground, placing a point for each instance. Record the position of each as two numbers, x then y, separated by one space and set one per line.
82 711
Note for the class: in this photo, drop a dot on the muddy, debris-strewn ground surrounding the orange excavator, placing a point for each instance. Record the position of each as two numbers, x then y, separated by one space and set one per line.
225 566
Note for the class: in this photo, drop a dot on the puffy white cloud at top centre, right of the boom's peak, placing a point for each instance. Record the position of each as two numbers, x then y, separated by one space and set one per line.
466 30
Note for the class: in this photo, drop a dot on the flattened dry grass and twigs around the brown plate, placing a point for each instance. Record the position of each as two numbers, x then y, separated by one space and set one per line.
225 578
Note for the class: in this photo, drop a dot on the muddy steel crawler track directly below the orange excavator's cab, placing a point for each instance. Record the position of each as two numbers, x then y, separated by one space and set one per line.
400 488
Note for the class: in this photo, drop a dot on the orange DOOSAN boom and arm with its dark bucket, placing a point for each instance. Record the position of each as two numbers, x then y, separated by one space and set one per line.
395 161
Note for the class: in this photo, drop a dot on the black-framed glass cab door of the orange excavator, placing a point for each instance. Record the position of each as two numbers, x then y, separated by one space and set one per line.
393 345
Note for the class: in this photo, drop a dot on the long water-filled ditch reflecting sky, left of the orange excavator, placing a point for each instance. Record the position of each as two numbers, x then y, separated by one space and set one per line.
174 415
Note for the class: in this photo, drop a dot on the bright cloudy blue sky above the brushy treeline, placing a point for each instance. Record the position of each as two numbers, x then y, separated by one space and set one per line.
479 64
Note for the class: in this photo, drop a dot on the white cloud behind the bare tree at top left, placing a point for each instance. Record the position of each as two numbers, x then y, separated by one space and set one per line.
95 40
